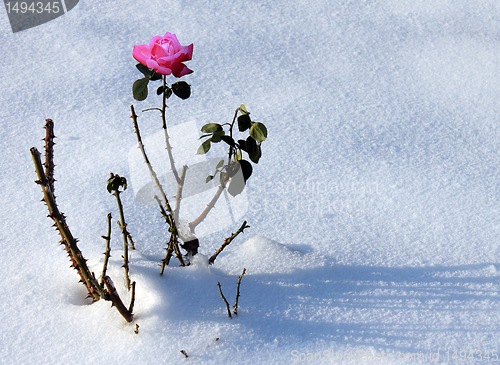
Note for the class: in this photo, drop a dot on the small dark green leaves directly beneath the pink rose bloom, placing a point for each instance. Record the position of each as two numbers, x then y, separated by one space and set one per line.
140 87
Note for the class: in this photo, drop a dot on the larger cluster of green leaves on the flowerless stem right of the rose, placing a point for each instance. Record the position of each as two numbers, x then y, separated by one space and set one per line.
251 145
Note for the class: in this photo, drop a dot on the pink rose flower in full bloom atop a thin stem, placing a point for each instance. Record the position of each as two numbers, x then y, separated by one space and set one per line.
164 55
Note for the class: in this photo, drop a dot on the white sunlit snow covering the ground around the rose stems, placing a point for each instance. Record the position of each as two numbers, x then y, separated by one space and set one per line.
374 211
